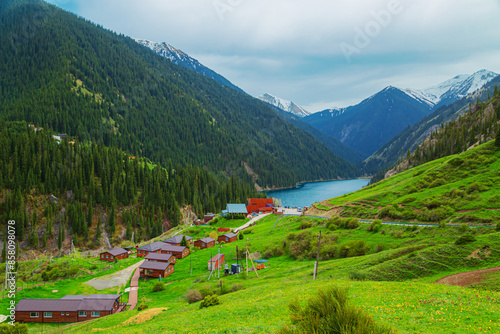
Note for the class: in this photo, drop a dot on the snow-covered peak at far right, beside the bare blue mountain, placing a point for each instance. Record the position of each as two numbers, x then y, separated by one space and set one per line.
452 89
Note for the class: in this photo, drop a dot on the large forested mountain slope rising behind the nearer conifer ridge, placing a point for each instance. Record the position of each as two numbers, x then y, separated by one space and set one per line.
67 74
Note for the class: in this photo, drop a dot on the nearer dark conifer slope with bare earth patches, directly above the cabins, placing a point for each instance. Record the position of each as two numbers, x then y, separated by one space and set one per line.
61 191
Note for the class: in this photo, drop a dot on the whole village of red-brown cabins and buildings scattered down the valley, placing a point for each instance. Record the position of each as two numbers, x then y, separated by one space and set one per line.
160 258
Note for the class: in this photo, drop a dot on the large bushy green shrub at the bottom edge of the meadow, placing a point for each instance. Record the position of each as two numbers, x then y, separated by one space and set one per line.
330 312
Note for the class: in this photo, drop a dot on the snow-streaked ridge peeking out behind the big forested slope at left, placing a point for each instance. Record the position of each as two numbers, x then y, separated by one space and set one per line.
181 58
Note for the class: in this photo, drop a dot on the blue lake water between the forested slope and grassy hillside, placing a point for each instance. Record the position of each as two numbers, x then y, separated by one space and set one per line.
308 193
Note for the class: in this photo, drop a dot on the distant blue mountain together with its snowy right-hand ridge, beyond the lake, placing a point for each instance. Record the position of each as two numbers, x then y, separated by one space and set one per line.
373 122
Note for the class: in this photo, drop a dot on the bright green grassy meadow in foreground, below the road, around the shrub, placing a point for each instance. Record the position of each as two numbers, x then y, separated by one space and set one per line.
406 300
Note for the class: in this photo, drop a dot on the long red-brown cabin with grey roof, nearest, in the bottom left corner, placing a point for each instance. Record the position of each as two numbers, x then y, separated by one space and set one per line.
73 308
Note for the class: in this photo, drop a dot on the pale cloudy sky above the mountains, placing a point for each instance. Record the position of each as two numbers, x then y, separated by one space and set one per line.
318 53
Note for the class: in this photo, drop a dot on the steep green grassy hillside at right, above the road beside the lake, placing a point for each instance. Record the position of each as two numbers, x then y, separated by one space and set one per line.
462 188
